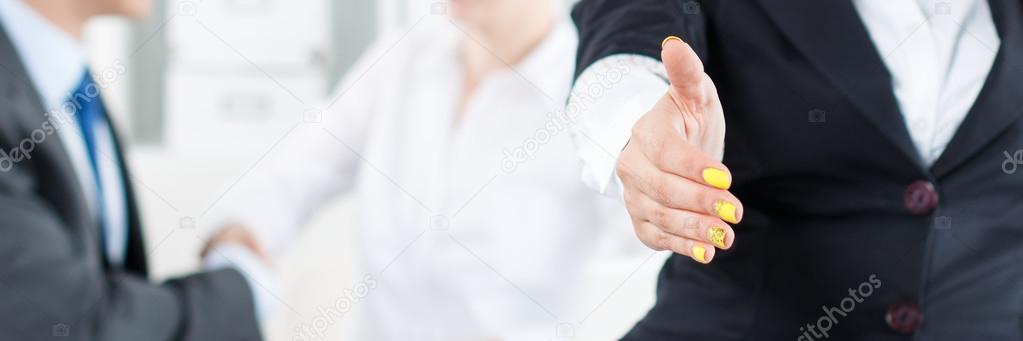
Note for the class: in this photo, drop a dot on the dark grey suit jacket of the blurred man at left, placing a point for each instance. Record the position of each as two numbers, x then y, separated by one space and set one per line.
55 282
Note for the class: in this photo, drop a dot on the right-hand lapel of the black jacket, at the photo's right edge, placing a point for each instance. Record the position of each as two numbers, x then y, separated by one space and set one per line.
1001 101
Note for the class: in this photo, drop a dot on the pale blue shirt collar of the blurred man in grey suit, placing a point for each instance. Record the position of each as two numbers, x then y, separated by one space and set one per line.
55 61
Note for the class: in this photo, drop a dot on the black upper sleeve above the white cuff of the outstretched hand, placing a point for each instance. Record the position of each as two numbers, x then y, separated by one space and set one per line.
637 27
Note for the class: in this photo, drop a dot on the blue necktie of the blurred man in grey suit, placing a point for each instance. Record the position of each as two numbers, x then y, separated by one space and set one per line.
92 115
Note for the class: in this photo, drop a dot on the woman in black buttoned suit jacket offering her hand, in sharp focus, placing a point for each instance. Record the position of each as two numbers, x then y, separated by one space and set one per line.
859 194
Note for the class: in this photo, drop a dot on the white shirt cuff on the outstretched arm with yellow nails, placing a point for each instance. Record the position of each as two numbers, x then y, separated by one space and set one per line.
607 100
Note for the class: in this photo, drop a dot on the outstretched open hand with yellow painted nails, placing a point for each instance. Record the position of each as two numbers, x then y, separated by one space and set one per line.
676 187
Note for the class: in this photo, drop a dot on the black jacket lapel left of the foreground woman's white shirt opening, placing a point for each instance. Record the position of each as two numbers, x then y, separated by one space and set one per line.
831 35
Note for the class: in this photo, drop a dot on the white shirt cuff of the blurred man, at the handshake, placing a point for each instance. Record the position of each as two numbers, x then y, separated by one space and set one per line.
261 282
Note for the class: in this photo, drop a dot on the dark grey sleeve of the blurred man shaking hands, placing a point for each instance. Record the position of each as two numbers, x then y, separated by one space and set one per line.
54 286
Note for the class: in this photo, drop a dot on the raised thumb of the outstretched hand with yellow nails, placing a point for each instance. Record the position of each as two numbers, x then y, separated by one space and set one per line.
684 68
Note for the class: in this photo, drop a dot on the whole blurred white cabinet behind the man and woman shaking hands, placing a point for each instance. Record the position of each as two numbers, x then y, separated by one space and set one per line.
233 76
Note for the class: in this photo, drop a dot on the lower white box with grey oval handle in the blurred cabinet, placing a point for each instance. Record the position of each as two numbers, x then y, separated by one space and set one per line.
236 114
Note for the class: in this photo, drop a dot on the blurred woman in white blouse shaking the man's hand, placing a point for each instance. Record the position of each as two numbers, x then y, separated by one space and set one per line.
453 136
